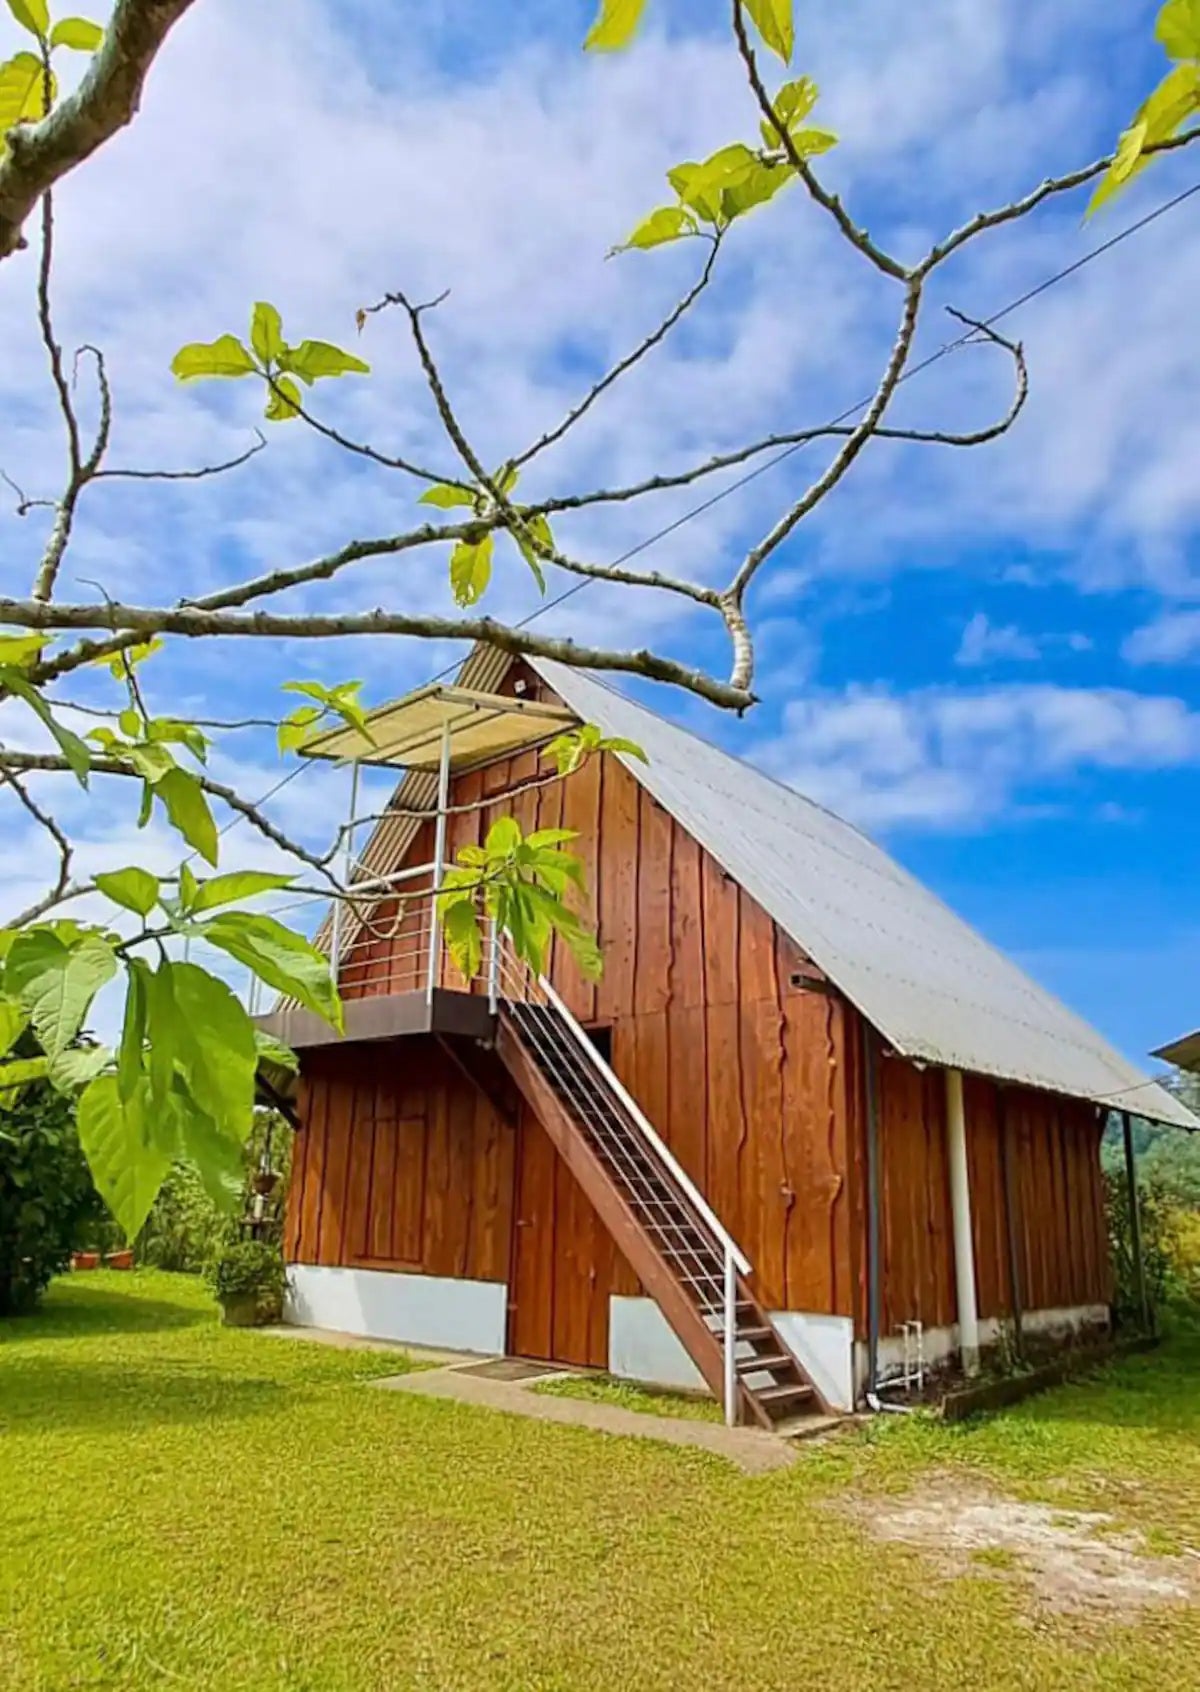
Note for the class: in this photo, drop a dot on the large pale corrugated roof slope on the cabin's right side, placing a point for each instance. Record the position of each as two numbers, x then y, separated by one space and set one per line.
928 982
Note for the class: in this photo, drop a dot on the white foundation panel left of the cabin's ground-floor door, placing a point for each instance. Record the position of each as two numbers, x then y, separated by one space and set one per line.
414 1309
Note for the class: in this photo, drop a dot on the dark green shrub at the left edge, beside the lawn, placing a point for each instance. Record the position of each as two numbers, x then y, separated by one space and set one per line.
48 1204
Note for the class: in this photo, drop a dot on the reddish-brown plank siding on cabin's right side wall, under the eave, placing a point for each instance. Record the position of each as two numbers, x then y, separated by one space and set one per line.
1054 1151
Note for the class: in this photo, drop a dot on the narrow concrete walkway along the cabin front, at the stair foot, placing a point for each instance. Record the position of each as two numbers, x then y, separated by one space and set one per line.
752 1449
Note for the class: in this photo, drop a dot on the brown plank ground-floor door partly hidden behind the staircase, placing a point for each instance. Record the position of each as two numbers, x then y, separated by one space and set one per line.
563 1260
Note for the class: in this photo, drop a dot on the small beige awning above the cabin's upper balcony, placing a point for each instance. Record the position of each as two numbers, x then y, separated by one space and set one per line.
410 732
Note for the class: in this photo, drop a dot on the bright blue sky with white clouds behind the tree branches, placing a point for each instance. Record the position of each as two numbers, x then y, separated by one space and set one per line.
986 659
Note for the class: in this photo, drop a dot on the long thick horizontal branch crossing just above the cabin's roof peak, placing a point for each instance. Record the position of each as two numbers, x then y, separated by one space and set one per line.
143 622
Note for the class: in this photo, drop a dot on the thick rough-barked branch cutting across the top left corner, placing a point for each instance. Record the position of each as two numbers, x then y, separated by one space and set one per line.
107 99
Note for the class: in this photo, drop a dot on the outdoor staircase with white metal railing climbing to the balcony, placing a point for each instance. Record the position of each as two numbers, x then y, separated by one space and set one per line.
661 1222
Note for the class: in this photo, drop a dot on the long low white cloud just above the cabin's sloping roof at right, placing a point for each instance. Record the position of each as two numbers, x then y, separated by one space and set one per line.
940 759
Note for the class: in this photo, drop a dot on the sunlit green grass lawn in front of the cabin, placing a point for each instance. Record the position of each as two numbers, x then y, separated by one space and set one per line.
204 1508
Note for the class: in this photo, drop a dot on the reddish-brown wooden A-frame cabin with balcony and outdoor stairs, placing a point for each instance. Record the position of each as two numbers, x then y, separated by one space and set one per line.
805 1128
